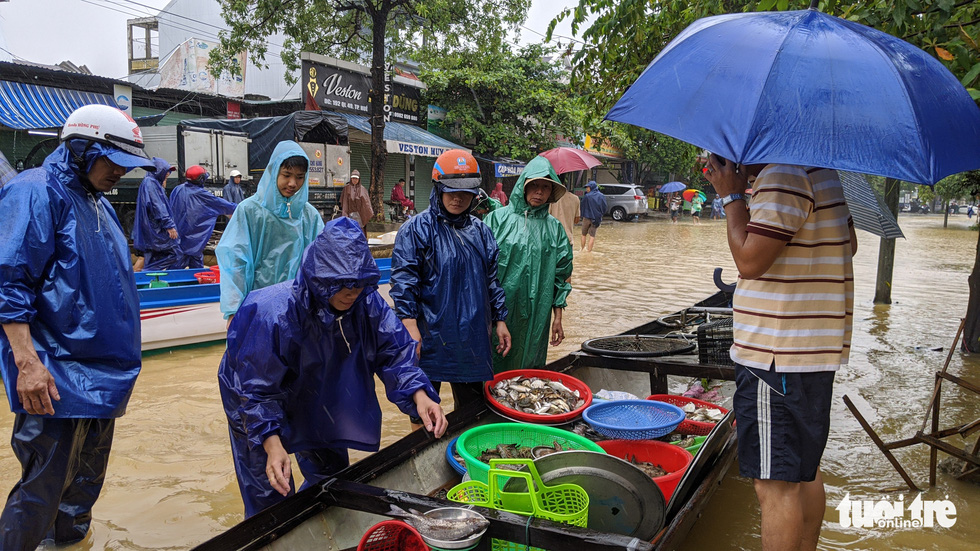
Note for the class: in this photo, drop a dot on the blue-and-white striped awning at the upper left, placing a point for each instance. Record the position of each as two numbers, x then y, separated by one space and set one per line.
29 107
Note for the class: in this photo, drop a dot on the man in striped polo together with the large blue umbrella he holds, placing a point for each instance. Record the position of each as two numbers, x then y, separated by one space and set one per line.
779 93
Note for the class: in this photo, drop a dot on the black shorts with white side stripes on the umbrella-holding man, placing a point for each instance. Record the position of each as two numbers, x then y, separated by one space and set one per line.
783 420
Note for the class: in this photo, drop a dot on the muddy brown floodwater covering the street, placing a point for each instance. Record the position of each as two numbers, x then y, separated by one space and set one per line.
171 484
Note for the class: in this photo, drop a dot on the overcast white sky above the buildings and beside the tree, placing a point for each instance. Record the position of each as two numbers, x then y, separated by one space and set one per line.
93 32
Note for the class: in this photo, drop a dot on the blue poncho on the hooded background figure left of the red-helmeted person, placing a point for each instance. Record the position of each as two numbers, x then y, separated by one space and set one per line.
153 216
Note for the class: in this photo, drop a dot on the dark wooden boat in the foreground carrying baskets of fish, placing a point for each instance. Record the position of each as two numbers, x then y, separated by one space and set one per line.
336 513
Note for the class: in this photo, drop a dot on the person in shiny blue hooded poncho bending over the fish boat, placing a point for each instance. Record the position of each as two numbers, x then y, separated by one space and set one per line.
298 374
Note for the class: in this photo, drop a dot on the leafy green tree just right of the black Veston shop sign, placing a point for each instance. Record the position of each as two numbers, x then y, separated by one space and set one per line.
510 104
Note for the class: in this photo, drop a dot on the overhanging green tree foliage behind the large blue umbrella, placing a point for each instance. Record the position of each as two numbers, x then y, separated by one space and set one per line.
612 57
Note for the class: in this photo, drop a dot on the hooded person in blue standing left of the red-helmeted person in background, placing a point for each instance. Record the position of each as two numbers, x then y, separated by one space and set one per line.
154 231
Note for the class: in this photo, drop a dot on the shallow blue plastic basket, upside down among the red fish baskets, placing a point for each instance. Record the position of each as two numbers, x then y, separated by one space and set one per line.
633 419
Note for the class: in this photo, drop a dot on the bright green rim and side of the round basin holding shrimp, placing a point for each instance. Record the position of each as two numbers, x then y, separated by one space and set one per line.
473 442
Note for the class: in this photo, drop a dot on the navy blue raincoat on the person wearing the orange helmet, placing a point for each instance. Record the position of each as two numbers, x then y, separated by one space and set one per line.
444 275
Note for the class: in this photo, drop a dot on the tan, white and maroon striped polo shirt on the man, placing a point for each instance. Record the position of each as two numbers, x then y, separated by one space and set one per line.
798 314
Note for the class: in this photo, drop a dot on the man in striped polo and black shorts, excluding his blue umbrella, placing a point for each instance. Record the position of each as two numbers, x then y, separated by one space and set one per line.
792 331
